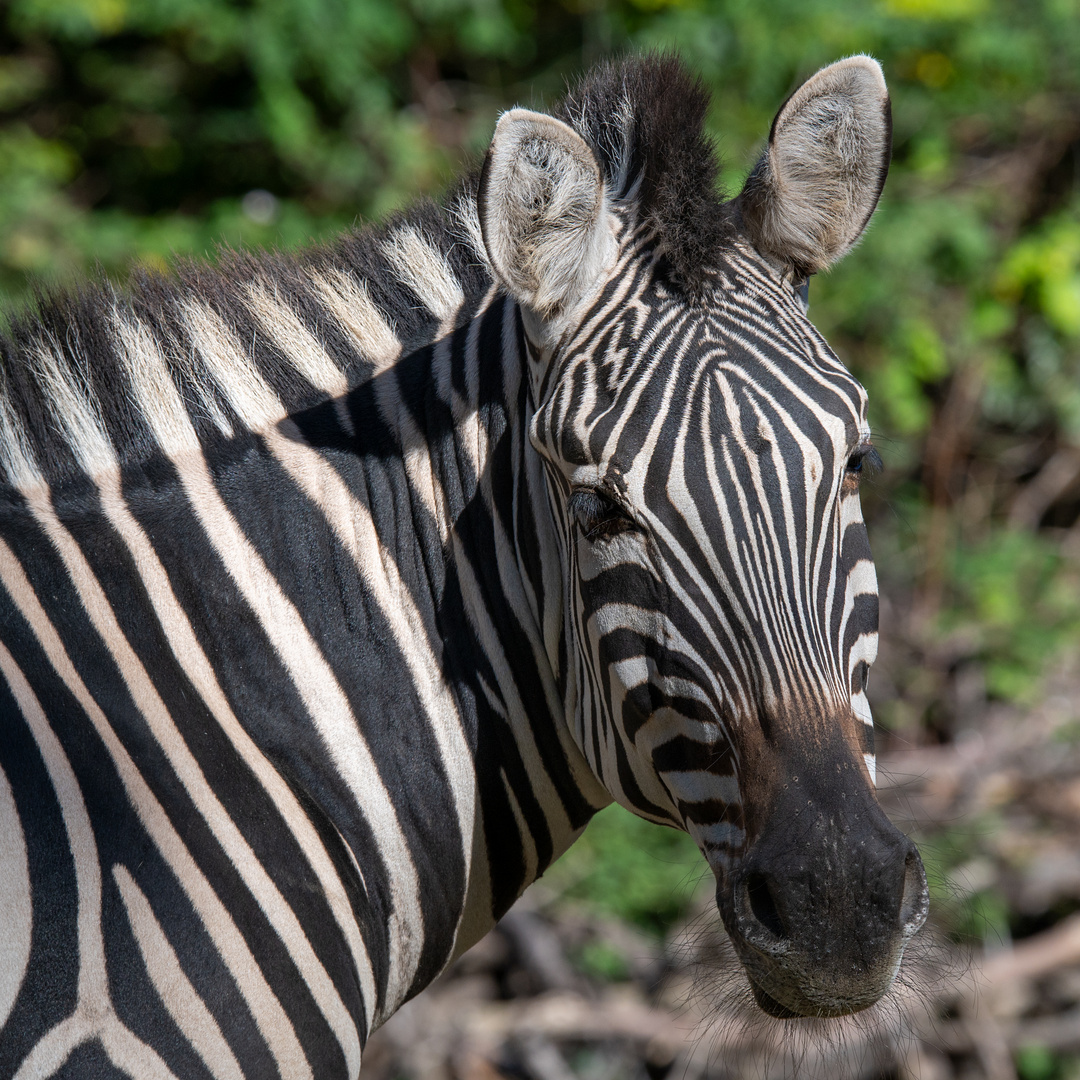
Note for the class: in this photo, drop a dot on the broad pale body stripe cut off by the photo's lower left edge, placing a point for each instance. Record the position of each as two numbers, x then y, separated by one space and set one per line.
17 910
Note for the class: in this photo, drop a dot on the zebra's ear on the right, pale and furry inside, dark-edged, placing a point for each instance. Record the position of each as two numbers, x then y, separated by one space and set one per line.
811 196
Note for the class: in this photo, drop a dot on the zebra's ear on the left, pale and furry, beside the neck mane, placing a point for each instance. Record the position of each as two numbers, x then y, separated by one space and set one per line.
544 215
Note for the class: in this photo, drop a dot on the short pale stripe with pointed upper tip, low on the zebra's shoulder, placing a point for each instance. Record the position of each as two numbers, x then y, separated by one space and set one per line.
173 987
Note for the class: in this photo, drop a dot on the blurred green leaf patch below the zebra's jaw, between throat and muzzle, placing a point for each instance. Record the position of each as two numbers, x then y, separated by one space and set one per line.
632 870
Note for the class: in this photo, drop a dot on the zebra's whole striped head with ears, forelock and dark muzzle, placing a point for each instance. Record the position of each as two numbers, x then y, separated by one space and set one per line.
704 448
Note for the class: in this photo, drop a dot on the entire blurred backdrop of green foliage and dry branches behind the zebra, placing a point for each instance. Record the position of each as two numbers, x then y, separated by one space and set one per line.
134 131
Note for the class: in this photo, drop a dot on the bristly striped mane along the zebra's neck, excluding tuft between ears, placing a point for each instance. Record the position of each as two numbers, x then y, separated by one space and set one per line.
408 282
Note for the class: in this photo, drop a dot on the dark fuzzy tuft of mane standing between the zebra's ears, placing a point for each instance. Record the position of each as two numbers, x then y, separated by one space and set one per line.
644 118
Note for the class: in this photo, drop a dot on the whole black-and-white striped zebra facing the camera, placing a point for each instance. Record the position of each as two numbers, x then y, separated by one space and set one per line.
341 589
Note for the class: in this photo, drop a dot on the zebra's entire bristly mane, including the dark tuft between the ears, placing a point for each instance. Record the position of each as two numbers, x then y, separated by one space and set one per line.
64 385
